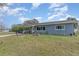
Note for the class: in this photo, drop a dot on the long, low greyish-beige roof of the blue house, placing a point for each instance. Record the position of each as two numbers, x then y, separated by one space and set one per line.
58 22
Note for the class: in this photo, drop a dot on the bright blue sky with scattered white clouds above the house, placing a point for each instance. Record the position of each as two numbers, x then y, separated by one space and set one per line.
17 13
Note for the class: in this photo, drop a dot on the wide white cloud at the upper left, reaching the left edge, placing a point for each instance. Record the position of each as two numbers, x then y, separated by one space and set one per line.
10 11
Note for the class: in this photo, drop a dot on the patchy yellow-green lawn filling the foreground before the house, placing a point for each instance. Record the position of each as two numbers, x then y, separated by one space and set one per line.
42 45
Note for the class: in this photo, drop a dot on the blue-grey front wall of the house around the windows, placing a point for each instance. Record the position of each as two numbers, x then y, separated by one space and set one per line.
51 29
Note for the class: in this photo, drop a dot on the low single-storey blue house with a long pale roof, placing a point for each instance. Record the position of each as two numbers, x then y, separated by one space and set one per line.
66 27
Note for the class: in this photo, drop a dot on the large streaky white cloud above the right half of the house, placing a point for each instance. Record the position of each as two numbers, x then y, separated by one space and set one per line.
58 13
